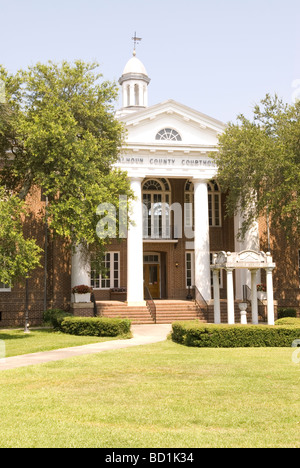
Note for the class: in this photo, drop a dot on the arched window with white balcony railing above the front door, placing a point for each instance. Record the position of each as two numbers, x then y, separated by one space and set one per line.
156 209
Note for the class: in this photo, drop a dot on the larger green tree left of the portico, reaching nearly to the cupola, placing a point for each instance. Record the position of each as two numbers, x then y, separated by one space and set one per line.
58 132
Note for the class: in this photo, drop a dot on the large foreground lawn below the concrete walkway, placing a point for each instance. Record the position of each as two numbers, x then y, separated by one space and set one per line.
155 396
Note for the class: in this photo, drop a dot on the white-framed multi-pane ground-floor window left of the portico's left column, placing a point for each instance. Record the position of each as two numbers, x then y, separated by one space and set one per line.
110 272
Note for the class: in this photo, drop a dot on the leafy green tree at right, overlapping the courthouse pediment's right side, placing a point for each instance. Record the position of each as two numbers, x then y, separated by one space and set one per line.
259 165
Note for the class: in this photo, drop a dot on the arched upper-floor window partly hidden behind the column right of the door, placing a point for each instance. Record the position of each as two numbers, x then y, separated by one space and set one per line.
214 204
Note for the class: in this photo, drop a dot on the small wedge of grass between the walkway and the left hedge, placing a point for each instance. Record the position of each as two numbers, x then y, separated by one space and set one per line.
17 342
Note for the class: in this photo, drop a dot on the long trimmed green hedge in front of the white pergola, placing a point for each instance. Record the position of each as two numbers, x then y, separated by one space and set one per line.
233 336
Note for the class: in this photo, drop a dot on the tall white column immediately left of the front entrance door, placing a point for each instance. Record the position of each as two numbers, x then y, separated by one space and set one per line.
135 281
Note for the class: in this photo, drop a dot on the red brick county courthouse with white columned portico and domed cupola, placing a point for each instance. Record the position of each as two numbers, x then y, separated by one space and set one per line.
179 223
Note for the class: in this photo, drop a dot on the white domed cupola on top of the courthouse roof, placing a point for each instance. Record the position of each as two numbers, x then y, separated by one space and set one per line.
134 82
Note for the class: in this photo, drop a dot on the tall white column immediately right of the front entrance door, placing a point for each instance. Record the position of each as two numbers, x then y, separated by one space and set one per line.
201 242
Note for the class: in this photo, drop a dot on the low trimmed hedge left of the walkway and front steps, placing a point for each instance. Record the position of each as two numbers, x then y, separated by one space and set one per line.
95 326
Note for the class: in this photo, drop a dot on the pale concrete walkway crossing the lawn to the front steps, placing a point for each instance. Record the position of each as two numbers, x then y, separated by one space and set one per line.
142 334
